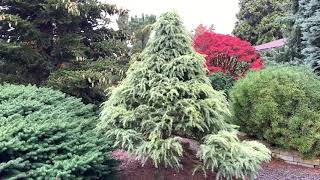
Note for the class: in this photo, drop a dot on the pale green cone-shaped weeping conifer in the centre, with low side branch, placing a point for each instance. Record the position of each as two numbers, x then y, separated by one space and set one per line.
166 96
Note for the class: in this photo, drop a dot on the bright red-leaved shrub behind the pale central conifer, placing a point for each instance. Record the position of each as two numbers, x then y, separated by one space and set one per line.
227 54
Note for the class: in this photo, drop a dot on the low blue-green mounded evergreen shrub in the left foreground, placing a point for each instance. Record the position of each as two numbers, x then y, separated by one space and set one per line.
45 134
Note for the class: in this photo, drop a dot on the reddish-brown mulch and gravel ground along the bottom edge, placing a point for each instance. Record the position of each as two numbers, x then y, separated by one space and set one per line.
130 169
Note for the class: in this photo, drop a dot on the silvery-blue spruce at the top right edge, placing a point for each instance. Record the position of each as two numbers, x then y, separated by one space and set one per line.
311 34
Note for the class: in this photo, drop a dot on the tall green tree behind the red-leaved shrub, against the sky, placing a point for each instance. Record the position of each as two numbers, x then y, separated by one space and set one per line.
259 20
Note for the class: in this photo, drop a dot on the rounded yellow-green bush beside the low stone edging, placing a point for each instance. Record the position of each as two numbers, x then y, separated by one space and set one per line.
282 106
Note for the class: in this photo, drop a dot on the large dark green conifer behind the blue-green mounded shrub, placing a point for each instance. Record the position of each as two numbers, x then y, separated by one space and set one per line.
63 37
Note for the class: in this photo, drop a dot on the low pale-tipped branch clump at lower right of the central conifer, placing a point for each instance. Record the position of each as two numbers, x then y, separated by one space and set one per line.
229 158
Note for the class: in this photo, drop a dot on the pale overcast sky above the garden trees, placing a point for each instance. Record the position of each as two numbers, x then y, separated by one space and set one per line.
220 13
